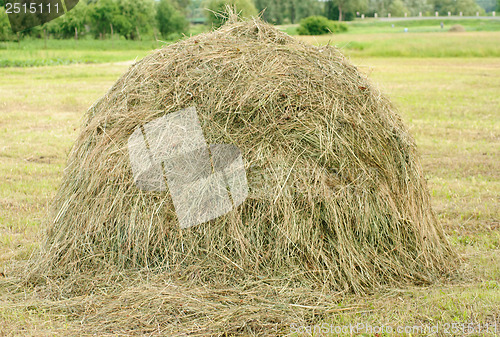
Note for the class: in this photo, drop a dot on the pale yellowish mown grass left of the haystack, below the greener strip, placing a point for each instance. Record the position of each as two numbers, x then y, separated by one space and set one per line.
40 114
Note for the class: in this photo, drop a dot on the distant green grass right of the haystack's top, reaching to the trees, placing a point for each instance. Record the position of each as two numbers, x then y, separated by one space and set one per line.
425 38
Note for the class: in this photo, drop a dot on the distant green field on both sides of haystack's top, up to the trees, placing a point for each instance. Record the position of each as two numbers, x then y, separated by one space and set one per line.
425 38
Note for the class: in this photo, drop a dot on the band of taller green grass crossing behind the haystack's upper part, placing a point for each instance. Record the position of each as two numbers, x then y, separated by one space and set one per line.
62 52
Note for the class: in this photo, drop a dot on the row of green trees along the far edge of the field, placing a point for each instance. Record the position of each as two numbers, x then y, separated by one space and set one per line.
133 19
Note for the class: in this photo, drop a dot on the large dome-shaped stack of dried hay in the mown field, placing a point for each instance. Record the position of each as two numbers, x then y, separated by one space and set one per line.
336 195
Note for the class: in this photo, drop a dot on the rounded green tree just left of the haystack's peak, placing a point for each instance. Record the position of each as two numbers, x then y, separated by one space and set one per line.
170 19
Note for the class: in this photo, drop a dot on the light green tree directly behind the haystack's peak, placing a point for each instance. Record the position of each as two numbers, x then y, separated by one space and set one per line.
216 9
